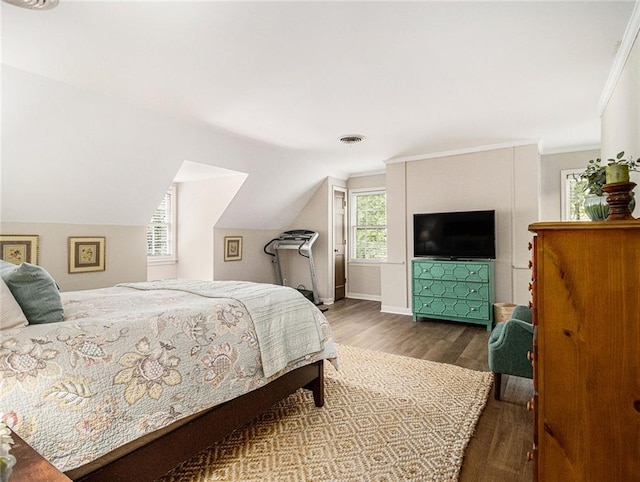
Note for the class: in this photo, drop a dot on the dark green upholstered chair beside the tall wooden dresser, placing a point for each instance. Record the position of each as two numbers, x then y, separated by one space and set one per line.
508 346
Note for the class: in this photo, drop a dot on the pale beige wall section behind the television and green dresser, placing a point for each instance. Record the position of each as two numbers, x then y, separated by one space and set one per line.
505 180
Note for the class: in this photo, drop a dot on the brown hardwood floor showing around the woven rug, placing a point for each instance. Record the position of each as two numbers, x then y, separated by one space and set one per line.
504 433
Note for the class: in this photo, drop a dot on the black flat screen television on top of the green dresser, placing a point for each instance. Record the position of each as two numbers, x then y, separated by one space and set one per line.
455 235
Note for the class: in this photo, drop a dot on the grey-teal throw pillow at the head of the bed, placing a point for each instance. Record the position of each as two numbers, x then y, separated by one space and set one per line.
35 291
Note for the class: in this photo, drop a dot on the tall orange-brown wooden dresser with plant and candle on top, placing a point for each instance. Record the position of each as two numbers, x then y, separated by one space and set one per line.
586 354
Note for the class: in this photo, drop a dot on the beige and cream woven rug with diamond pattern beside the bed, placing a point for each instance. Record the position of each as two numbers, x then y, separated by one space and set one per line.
386 418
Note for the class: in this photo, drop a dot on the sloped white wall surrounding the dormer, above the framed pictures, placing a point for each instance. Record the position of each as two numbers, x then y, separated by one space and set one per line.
80 149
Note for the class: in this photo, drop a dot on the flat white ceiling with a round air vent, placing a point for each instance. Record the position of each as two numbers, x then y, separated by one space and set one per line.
414 78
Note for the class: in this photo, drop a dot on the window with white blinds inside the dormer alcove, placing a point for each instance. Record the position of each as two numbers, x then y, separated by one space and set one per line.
161 229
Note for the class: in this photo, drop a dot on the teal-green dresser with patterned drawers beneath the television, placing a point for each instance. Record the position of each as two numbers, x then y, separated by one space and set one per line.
453 290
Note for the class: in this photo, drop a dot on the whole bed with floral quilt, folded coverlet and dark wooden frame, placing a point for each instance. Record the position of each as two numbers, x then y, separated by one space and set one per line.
140 377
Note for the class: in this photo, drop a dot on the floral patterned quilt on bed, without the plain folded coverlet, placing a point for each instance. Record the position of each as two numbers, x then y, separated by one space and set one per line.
126 362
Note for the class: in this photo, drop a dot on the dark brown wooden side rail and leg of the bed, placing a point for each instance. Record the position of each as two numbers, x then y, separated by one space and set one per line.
153 460
